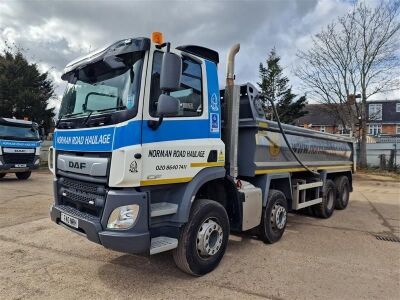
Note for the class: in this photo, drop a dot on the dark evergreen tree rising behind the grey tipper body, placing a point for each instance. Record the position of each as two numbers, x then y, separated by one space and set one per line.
274 86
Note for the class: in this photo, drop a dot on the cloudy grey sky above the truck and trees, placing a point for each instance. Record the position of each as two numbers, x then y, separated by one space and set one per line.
55 32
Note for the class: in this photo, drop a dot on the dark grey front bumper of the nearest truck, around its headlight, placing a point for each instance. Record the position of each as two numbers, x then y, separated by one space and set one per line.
134 240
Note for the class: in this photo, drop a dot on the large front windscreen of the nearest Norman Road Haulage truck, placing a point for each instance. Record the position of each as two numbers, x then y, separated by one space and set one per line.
109 85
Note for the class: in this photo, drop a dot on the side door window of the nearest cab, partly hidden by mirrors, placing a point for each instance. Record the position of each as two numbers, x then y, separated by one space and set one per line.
190 92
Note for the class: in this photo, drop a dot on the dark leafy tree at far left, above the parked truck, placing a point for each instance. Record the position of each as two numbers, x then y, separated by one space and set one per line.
24 90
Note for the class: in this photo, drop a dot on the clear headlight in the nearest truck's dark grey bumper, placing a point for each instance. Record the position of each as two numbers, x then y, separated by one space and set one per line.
123 217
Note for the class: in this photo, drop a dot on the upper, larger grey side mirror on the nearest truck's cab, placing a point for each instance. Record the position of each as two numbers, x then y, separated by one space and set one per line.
171 69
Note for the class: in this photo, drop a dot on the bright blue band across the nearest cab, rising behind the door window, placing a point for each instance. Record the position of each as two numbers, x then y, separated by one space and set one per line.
136 132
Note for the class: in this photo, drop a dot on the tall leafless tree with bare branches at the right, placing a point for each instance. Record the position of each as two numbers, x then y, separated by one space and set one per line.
356 54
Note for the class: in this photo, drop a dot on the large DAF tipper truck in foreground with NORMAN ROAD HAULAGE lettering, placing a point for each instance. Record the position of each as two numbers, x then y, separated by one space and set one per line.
150 156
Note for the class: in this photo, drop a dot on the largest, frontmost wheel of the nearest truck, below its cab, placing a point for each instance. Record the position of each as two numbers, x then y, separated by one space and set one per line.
203 239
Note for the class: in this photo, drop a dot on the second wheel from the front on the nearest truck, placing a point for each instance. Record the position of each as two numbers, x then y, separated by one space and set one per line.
274 218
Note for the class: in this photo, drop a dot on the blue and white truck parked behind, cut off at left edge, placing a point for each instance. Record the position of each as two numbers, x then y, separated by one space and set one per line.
19 147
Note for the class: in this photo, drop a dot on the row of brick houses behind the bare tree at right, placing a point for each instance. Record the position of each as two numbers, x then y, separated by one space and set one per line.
384 119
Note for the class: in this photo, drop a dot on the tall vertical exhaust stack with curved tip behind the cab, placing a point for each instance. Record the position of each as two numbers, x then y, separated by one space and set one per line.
231 117
